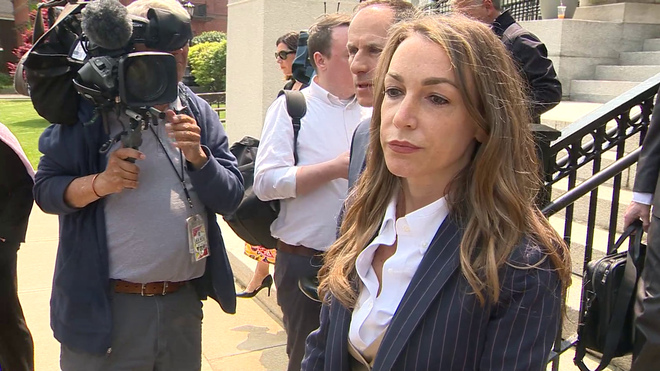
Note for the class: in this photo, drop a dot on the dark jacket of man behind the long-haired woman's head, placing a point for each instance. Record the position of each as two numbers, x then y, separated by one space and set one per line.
532 58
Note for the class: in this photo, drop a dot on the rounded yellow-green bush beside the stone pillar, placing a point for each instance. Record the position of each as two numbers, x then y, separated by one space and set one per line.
208 62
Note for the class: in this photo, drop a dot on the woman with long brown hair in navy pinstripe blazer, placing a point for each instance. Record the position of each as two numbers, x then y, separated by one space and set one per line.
444 262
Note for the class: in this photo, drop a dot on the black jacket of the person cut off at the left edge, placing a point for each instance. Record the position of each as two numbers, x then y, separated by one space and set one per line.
15 196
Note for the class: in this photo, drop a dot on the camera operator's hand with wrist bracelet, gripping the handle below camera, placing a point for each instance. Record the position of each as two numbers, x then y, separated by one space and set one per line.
120 174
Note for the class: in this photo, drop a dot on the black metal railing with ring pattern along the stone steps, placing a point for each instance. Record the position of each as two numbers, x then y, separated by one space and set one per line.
594 154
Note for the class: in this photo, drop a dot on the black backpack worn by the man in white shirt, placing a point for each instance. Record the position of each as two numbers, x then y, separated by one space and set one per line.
251 221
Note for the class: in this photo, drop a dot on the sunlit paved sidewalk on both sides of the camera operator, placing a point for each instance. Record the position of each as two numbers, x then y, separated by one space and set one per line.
252 339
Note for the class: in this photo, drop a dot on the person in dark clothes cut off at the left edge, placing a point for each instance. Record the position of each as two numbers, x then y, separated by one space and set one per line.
16 348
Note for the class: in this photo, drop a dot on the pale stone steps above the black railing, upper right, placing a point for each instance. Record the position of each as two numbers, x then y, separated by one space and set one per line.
613 80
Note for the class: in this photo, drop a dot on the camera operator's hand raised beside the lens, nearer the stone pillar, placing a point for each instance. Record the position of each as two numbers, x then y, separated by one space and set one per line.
185 133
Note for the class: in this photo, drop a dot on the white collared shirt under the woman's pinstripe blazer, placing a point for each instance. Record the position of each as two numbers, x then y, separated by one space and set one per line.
413 234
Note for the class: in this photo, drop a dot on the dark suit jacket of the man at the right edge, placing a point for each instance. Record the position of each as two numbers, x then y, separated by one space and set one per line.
648 167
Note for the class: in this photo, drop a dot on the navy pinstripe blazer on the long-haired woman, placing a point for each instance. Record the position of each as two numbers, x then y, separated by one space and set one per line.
439 325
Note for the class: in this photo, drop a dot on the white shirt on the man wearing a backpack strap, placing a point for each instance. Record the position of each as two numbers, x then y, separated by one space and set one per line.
325 133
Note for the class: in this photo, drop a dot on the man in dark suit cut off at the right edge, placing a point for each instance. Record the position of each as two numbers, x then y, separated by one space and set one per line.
646 355
